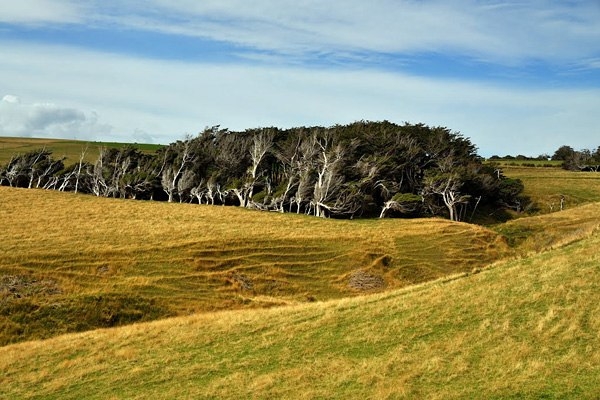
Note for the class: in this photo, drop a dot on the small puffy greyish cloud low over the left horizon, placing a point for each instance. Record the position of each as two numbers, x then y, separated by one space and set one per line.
47 120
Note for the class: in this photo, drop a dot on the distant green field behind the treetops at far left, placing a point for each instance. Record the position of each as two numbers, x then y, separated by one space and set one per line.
71 149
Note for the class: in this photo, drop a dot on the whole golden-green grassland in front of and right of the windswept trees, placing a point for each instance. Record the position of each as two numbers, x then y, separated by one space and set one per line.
223 302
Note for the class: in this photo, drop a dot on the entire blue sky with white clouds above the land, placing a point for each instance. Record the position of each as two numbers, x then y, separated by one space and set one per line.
515 77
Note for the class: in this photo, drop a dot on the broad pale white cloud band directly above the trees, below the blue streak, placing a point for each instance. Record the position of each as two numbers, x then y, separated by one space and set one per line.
162 101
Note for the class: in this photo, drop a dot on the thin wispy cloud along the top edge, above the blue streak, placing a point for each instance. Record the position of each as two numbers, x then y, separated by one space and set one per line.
506 32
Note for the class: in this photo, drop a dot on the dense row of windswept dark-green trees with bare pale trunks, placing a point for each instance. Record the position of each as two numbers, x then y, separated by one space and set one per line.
368 169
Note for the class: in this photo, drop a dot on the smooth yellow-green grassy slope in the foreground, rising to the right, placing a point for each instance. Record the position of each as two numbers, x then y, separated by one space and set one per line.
526 328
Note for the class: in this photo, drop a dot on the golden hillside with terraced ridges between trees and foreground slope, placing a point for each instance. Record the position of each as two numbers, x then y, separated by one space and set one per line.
77 262
